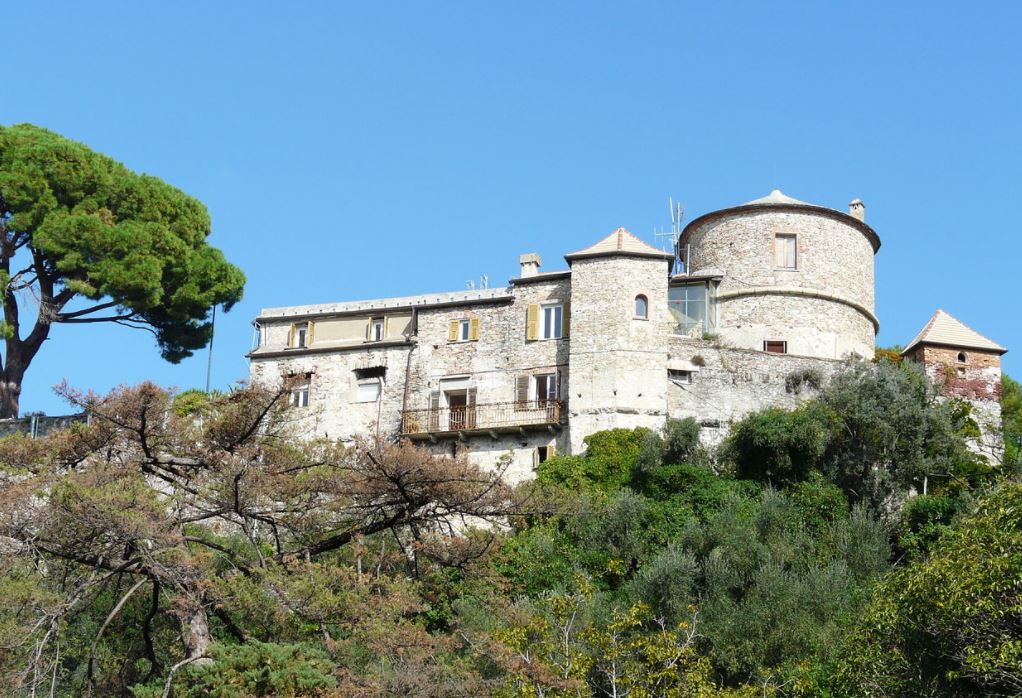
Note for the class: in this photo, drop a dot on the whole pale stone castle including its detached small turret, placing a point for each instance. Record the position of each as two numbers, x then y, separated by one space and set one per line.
776 295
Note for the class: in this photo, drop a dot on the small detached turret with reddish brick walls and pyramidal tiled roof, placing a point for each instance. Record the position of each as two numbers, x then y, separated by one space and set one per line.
966 365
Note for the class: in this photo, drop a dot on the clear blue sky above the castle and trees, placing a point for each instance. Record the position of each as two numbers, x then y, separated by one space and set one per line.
352 151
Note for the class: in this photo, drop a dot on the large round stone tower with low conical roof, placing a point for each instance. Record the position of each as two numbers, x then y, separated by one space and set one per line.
794 277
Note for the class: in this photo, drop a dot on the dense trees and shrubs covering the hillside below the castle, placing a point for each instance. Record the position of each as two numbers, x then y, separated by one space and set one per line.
196 548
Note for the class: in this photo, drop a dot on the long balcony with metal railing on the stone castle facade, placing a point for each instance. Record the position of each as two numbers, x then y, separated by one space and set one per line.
493 420
